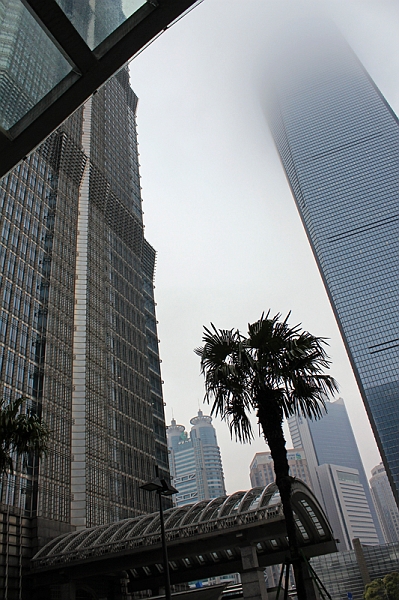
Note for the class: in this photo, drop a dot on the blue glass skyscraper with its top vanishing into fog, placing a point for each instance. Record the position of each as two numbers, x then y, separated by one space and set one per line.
338 140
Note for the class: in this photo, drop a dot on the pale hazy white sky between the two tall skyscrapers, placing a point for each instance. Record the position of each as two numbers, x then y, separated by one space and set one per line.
217 206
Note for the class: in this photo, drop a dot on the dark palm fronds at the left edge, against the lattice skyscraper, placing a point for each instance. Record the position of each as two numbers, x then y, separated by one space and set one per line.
20 433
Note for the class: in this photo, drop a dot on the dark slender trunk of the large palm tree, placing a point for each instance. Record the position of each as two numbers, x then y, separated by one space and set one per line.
271 420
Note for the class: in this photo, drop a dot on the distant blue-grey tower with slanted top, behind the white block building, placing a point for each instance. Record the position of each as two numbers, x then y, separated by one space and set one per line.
330 440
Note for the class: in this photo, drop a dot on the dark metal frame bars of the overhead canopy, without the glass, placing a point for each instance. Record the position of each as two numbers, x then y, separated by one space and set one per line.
91 68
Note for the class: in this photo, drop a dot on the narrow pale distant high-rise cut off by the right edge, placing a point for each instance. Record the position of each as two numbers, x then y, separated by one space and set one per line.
385 503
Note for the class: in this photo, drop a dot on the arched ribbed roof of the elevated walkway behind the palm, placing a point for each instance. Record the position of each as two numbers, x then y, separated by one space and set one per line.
209 531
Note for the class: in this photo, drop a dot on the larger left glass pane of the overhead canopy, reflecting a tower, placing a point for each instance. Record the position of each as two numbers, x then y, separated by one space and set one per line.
26 74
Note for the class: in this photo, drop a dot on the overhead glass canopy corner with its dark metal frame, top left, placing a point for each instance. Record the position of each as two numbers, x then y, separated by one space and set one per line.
55 53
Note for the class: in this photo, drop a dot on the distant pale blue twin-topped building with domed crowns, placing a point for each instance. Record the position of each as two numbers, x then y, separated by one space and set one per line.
195 461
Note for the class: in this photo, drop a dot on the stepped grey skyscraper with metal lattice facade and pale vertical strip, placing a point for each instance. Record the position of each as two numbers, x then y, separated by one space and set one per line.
78 335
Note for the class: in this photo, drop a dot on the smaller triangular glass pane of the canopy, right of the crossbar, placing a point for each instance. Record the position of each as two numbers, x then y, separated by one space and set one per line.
95 20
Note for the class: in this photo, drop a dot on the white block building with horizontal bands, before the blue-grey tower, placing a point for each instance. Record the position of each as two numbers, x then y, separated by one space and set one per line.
346 504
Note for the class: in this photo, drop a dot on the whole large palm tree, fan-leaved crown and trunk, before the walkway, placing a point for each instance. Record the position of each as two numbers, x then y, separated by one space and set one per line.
276 372
